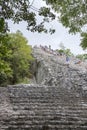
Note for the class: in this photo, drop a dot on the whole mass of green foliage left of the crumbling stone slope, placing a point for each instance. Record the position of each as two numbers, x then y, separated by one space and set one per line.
15 58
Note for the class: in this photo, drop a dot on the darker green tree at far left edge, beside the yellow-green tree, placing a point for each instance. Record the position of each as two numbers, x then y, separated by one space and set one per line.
5 55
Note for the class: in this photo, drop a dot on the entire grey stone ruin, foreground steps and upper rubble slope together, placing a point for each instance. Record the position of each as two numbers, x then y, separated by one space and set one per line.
56 98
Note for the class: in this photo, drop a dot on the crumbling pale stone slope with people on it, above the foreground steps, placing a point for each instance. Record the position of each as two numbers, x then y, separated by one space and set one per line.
53 71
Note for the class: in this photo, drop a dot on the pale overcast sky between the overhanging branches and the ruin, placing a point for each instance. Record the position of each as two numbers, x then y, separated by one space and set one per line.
61 35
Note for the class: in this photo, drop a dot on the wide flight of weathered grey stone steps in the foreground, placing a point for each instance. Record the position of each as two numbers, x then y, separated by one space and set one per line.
44 108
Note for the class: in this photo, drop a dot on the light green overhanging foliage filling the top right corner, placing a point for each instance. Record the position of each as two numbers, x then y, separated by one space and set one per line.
72 13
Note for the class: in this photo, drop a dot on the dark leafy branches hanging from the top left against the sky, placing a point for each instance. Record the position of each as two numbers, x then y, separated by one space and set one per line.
20 10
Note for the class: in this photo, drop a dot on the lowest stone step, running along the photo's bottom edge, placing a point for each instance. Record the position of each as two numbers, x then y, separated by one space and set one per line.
47 127
